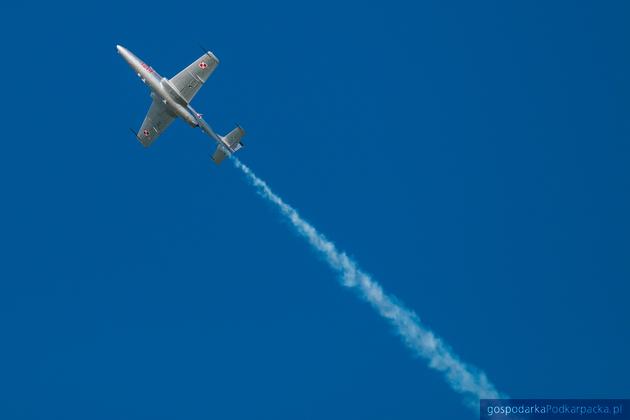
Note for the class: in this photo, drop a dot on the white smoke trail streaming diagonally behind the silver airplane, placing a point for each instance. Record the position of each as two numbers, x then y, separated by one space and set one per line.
462 378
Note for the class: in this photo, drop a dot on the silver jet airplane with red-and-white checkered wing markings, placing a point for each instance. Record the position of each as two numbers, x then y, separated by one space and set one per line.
171 99
